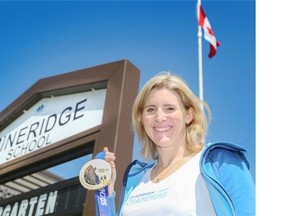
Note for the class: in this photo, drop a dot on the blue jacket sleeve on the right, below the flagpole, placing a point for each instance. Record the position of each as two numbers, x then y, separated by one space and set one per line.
231 168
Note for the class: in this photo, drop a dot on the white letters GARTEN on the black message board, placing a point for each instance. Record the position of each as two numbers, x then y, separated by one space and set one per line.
40 205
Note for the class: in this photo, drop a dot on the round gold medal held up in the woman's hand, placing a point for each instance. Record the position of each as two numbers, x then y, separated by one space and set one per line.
95 174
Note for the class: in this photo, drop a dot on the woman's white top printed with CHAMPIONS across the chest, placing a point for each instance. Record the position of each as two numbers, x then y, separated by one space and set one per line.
182 193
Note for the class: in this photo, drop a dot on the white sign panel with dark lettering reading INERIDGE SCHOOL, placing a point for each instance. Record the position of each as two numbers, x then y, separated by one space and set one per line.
51 120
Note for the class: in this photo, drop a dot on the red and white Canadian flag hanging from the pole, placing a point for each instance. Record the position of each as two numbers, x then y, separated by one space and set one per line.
208 33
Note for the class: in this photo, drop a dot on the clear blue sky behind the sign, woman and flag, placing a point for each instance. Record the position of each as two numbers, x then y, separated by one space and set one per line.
43 38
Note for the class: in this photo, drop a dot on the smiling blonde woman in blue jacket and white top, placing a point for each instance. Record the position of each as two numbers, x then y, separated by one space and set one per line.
188 177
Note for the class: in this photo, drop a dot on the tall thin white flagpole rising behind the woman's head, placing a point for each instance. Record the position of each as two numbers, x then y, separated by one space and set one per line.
200 68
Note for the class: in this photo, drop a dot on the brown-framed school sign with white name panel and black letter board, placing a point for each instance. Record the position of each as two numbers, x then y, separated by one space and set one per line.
61 118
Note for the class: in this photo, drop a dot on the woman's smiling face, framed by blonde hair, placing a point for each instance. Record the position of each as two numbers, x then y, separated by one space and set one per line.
164 118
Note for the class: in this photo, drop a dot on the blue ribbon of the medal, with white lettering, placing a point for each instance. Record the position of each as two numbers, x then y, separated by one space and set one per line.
102 194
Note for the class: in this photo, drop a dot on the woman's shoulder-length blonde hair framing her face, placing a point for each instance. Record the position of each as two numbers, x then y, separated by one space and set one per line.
195 131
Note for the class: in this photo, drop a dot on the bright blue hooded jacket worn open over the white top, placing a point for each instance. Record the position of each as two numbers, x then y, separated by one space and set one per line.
225 170
